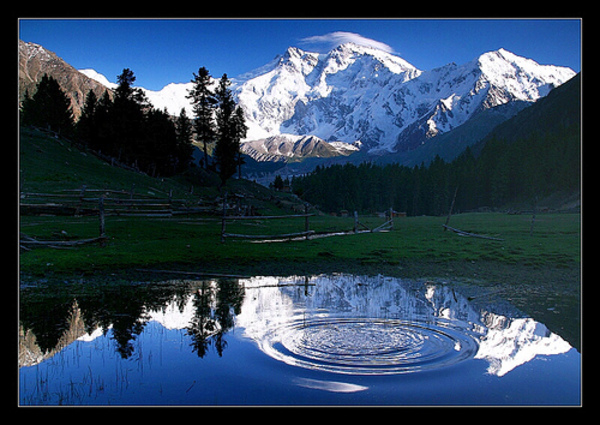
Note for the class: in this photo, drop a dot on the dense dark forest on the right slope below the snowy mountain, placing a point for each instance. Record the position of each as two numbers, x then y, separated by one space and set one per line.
502 173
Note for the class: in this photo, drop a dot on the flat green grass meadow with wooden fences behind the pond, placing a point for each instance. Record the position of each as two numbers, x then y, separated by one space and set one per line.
141 242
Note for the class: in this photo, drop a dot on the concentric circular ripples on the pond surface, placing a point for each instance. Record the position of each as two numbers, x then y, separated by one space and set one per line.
363 346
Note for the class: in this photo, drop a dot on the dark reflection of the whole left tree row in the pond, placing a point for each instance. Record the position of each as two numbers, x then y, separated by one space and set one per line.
46 311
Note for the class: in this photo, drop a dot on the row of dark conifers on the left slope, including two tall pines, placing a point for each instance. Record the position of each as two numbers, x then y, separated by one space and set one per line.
124 124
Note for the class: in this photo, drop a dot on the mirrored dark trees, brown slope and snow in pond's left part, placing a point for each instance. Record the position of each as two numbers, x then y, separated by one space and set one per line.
51 318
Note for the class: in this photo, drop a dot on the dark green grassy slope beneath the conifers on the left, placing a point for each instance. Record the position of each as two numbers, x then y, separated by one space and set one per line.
50 164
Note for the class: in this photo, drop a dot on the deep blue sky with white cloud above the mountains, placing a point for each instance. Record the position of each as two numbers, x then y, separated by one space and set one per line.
163 51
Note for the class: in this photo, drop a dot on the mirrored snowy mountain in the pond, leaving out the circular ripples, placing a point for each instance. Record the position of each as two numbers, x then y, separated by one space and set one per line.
504 342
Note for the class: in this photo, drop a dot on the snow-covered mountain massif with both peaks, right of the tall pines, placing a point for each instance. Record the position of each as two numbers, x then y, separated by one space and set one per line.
361 93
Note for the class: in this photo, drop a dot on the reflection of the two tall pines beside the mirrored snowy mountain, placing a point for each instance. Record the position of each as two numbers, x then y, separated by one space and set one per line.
216 307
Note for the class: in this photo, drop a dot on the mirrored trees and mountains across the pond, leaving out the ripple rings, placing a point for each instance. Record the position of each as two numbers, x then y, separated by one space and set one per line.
207 310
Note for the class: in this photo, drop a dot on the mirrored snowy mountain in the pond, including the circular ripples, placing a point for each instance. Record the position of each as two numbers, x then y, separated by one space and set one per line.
363 325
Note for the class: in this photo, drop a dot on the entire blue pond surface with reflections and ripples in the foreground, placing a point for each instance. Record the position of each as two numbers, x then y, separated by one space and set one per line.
318 340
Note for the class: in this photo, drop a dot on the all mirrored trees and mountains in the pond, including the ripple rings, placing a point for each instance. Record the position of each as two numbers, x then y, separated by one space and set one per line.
339 323
